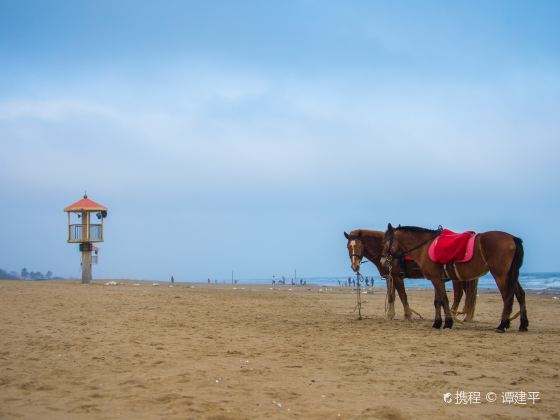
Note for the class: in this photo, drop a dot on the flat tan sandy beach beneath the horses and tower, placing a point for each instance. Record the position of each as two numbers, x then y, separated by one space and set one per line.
72 351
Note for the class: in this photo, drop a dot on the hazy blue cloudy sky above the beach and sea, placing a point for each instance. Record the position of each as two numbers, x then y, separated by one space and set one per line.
247 136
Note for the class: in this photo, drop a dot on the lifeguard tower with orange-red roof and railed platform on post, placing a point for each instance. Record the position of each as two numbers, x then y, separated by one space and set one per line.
83 230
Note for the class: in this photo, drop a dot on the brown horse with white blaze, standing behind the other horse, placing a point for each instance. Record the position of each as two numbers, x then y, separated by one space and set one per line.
369 244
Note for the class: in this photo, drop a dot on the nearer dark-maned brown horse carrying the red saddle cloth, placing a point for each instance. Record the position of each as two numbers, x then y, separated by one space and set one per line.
496 252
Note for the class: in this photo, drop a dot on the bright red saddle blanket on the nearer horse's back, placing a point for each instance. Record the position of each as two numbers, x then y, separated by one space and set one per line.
451 246
